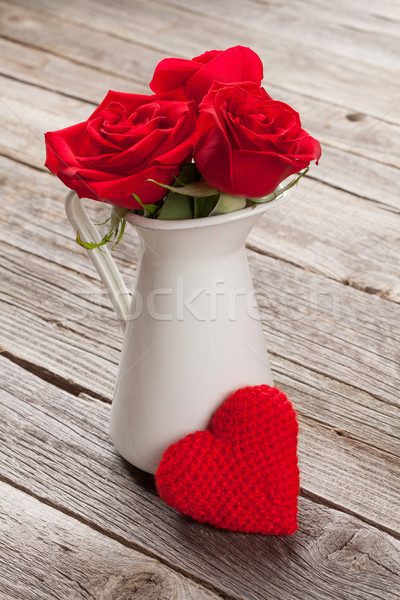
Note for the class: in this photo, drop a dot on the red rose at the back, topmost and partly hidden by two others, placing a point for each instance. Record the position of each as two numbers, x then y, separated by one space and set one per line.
179 79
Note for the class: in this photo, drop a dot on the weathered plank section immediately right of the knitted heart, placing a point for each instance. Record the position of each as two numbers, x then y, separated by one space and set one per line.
343 473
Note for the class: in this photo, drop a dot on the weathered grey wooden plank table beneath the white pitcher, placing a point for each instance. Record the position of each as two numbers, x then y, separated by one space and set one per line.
77 521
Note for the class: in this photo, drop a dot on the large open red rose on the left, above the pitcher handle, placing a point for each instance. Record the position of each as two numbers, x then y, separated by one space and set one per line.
128 139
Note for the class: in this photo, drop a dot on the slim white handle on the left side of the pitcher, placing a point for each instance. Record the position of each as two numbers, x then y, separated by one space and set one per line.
100 257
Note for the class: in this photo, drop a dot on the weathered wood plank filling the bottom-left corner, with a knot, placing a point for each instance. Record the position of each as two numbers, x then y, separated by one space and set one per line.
48 555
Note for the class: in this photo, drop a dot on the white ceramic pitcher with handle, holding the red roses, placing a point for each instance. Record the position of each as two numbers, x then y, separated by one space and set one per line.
192 330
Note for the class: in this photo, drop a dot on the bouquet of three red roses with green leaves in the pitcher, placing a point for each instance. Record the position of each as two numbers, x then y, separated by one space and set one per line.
209 140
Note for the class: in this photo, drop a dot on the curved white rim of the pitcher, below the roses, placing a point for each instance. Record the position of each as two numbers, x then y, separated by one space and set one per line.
170 225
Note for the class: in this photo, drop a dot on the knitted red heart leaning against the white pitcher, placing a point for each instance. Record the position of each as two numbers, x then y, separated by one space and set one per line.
241 473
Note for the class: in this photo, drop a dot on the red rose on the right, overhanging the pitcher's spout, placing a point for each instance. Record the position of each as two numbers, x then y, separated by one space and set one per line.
248 143
